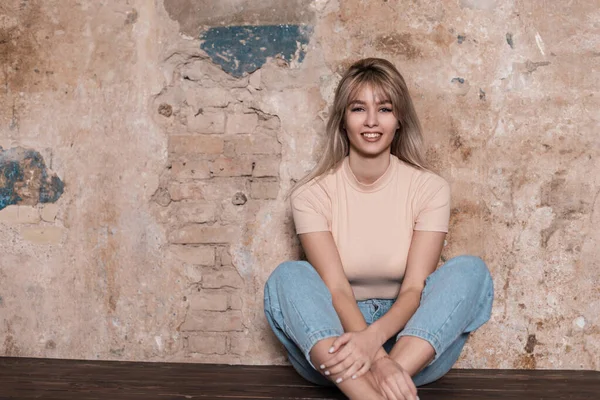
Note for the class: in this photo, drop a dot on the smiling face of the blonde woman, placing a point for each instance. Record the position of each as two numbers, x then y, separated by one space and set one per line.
370 124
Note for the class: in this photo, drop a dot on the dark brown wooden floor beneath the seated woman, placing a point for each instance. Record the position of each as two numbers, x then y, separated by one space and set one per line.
30 378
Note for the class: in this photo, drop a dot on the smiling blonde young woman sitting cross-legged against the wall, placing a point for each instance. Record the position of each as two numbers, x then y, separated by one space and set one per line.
369 311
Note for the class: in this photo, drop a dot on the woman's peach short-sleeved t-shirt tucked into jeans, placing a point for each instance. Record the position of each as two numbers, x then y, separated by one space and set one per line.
372 225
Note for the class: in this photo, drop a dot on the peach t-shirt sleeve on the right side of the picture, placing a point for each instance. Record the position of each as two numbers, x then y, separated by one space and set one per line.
433 205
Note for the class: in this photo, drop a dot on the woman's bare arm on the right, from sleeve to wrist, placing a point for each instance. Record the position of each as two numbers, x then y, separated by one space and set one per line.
423 257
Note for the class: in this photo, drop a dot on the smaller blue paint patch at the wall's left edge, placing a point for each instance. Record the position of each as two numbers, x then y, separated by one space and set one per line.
15 165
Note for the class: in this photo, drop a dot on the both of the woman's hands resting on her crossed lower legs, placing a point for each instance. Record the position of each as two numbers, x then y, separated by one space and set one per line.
354 353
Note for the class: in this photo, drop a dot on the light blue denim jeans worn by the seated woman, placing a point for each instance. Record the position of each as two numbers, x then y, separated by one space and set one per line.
456 300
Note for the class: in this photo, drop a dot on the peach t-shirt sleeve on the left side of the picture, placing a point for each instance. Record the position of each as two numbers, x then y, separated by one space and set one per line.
311 209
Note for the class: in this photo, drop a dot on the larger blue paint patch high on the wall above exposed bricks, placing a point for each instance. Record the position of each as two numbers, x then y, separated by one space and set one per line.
244 49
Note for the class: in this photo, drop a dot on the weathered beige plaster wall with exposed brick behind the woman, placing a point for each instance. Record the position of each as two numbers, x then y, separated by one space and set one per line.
168 163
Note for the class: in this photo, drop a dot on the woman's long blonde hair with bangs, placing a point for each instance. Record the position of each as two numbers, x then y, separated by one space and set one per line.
385 80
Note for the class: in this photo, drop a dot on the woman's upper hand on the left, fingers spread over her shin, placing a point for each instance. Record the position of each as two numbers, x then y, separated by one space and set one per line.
354 353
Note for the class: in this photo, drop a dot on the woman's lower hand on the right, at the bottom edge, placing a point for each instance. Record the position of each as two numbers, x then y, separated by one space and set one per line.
392 380
